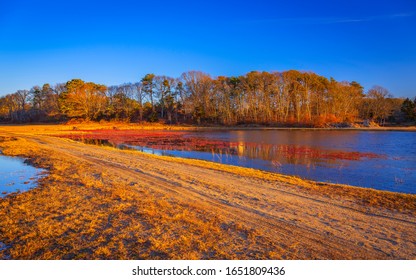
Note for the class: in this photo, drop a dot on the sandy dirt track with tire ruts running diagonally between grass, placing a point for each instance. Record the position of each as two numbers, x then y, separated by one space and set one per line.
312 224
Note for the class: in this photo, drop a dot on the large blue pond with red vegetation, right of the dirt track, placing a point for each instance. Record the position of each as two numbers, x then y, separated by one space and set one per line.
384 160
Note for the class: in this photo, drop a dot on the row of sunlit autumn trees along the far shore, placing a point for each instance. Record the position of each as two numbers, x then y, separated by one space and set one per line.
277 98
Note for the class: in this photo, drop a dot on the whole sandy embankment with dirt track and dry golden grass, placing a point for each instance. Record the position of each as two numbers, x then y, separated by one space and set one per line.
106 203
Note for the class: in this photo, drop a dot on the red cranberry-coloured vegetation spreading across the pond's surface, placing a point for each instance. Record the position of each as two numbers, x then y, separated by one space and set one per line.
184 141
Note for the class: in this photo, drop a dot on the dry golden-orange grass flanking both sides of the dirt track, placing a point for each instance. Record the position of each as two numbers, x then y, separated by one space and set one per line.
84 211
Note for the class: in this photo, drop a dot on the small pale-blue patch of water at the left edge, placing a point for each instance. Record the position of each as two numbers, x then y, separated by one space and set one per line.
15 175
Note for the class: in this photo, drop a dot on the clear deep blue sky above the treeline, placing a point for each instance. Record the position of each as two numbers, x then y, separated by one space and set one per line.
112 42
